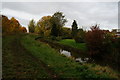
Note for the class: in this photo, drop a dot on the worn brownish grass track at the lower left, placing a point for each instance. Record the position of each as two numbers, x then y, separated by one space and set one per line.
19 63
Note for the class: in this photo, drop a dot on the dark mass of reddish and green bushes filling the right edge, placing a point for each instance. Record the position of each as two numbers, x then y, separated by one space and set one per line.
102 44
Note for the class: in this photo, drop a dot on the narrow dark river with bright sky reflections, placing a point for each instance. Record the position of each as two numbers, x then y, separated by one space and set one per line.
80 56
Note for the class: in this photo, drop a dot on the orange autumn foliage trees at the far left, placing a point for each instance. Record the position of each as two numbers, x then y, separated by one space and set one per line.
11 26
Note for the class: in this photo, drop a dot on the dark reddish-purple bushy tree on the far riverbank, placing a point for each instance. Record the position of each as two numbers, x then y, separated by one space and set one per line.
94 41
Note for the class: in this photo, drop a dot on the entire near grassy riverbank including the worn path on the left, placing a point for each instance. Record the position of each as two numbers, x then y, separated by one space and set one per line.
24 57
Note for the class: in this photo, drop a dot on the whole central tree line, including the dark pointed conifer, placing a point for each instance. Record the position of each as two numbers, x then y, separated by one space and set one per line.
54 26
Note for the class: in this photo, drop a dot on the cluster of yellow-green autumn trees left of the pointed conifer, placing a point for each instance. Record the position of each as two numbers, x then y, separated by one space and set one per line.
49 25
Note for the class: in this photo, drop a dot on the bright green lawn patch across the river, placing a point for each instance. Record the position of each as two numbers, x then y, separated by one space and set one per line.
72 43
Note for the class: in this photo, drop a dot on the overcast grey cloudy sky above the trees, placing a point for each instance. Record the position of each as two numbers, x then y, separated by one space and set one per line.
85 13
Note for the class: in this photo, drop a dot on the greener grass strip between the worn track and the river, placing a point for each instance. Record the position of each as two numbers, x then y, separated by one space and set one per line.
62 66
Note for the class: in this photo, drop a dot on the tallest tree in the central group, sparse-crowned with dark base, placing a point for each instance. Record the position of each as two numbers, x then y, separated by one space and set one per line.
57 21
